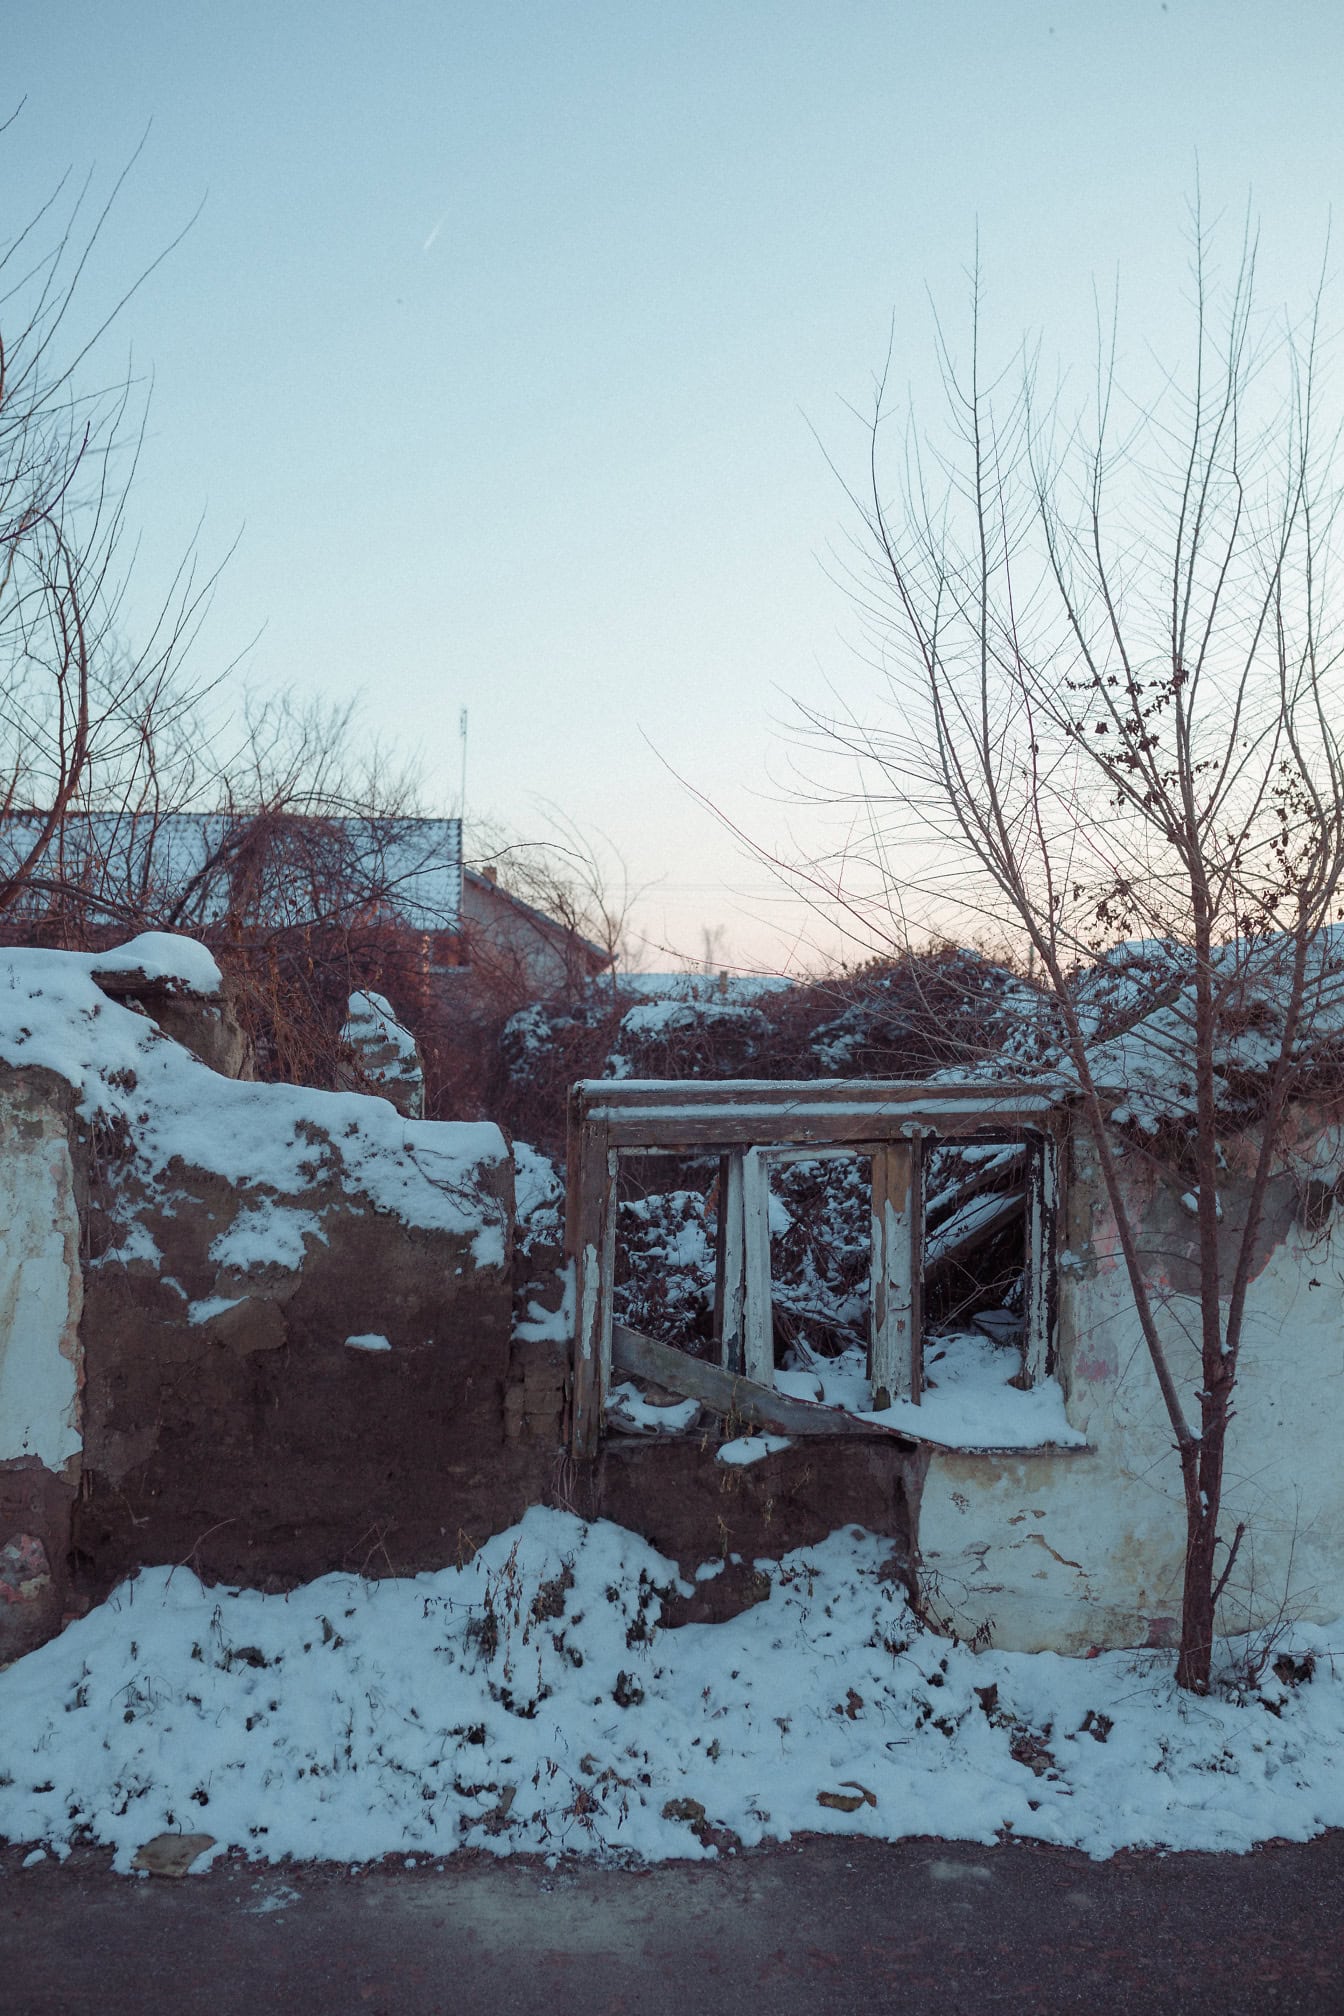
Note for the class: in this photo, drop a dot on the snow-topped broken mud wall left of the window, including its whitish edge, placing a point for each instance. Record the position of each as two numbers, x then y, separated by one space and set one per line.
253 1328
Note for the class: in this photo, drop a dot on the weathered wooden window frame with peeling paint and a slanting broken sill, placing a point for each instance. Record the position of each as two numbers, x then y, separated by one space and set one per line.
757 1126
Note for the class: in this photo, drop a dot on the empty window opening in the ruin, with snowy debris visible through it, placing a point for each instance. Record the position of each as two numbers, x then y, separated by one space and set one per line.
805 1255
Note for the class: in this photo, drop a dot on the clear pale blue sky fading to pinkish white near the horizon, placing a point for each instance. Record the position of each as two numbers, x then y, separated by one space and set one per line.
503 332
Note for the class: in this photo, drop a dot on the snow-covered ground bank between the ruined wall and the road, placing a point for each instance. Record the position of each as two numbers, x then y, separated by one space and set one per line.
531 1700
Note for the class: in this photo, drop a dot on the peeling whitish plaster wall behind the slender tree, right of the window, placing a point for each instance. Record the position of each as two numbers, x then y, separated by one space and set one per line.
1075 1549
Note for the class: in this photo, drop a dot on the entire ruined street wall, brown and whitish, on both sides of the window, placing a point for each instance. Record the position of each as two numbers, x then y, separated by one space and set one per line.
269 1334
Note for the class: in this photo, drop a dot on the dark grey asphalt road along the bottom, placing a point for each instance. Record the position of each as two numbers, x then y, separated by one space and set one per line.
821 1926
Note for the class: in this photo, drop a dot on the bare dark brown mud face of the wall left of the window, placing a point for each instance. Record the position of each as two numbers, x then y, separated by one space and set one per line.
333 1406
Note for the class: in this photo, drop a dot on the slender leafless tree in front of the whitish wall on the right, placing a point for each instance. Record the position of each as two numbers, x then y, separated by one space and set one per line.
1113 715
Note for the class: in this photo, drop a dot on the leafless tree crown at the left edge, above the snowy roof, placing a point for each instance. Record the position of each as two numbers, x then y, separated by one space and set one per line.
82 717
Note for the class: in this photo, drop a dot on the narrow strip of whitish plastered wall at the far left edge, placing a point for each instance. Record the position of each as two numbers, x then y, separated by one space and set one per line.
41 1295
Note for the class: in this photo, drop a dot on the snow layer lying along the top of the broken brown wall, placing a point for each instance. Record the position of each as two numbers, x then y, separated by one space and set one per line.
269 1140
